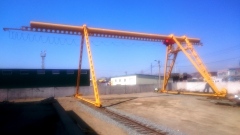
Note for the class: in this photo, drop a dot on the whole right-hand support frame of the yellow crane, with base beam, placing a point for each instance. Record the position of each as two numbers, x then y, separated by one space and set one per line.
192 55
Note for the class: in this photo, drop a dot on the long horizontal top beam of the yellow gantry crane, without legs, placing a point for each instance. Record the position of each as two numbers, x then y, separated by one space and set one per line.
99 32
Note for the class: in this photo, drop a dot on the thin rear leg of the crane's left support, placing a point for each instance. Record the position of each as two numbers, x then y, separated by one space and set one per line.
80 65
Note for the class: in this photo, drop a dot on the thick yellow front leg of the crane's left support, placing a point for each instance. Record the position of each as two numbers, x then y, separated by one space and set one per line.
94 80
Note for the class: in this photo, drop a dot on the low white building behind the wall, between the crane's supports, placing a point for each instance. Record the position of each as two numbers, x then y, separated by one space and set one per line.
134 79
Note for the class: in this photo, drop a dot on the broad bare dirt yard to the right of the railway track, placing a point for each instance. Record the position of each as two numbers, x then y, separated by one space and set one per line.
186 114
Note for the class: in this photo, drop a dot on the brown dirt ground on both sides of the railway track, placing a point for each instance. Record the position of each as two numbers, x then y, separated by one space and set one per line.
186 114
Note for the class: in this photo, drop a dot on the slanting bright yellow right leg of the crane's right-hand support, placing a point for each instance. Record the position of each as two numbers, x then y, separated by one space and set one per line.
192 55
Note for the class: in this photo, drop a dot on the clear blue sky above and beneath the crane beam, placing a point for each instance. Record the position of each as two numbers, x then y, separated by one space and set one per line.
215 22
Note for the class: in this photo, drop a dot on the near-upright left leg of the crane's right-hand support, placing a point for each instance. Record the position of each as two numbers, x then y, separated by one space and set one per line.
171 55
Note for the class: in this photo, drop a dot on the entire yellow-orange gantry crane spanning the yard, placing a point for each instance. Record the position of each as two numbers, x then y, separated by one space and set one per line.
173 44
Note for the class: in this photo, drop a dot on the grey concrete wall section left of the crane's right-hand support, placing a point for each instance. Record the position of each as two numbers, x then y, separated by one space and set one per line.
25 93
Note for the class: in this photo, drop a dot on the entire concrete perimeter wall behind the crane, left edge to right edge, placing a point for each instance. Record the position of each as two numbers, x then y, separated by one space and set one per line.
24 93
